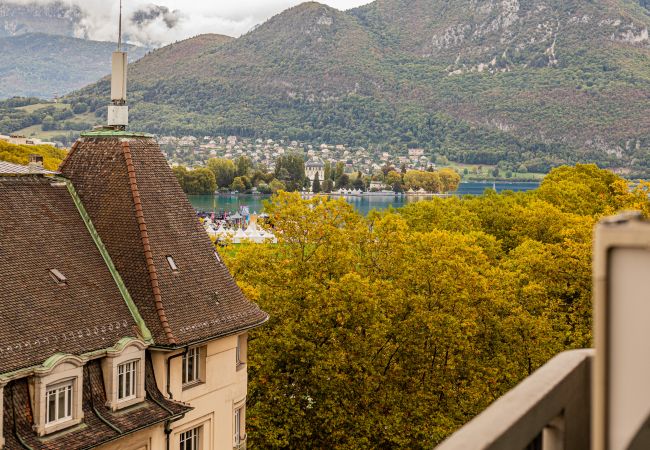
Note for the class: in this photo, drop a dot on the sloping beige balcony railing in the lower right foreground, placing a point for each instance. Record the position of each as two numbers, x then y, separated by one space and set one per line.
549 410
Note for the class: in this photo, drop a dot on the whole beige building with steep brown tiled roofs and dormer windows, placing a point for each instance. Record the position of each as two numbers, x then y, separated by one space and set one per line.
123 329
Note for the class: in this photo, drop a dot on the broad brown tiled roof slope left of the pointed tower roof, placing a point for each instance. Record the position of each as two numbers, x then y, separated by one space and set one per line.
41 229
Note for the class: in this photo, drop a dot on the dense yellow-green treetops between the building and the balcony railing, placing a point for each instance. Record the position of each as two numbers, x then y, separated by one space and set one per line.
393 330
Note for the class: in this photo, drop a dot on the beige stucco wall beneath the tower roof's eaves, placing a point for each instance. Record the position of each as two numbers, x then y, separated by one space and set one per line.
224 385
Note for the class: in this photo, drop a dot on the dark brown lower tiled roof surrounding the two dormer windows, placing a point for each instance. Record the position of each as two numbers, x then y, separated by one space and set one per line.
18 414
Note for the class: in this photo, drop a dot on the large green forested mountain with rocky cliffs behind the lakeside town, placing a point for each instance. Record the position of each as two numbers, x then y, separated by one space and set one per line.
534 84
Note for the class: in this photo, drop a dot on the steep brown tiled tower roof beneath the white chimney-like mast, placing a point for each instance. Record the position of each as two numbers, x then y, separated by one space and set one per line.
143 216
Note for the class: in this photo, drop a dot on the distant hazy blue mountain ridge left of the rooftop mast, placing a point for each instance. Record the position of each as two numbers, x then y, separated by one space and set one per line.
43 65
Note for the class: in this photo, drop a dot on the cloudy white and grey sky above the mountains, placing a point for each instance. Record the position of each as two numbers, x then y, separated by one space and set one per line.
146 23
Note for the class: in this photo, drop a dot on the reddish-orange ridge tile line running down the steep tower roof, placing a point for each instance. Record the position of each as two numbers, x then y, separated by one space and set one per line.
144 235
